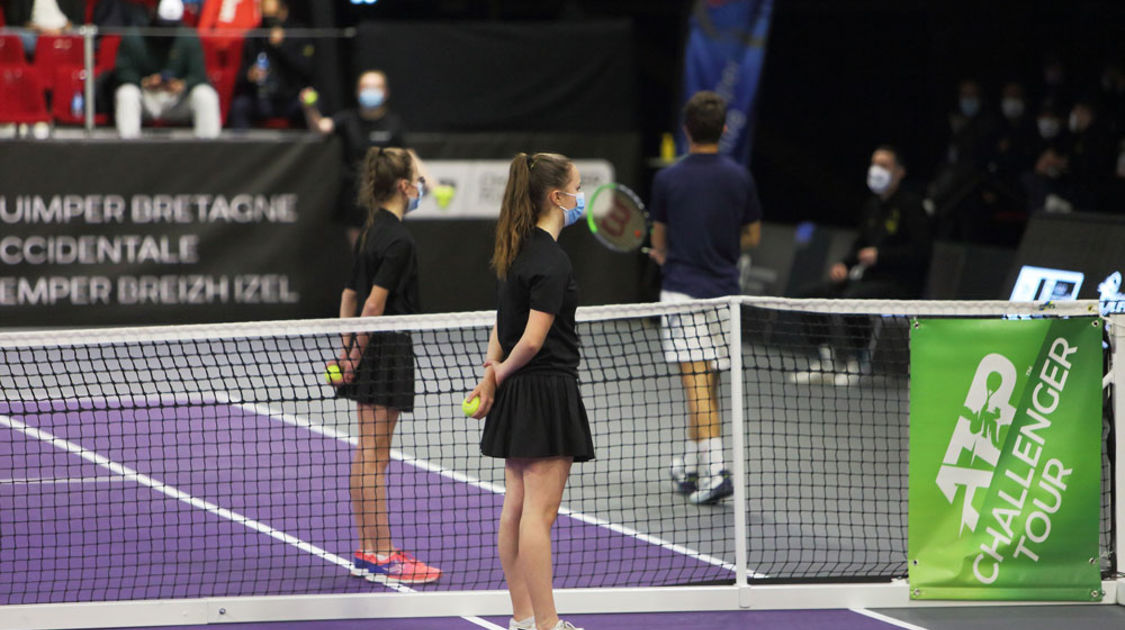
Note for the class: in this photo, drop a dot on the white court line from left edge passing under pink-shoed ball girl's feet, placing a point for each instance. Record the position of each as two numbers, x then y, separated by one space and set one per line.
173 492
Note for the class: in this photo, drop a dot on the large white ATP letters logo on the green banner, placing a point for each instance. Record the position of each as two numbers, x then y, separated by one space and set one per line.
975 447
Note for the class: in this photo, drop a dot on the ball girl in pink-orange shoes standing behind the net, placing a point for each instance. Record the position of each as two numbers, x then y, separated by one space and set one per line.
379 370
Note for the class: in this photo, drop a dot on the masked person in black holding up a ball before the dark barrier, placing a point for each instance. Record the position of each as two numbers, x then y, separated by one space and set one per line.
372 124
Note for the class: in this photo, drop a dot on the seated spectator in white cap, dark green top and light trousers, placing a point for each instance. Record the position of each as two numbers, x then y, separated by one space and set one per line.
165 78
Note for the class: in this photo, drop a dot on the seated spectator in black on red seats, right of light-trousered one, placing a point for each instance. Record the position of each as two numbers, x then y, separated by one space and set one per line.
274 71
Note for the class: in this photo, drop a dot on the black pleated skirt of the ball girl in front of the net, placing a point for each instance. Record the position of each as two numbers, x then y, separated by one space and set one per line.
538 415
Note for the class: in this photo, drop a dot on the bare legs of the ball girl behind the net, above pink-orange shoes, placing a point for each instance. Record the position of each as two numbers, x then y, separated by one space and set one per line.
368 478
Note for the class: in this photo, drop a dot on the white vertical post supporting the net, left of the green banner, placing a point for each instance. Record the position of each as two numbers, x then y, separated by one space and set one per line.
739 444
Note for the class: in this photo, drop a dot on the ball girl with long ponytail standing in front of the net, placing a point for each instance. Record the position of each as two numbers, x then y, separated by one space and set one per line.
536 420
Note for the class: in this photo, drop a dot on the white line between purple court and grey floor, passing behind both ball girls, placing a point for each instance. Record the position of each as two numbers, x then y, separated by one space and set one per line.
304 424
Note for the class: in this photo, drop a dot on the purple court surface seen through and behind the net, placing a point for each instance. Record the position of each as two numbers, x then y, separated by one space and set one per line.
170 499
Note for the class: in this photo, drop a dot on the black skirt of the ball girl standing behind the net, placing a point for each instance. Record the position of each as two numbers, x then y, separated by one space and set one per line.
385 375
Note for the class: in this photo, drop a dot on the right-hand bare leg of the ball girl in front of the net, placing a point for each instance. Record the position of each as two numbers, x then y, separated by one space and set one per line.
544 481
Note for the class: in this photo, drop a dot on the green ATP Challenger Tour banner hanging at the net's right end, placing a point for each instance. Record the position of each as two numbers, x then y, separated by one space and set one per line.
1005 460
